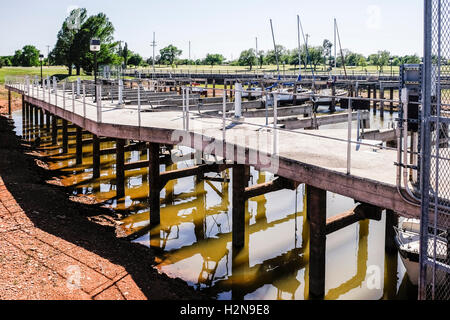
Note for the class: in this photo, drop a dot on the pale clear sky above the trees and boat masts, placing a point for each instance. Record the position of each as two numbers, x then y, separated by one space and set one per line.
225 27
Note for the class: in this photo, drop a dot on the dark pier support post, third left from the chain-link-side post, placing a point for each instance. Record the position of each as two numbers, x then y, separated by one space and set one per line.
154 184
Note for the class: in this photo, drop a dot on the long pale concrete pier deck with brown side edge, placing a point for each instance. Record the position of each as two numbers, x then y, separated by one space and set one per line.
301 156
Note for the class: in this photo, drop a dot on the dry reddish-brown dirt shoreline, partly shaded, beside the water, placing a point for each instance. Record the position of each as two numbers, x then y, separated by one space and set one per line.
50 241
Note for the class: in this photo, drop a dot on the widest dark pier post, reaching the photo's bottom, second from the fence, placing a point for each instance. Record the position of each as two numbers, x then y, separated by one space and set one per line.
317 212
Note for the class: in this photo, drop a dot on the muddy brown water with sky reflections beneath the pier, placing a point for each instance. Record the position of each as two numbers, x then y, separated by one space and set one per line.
194 239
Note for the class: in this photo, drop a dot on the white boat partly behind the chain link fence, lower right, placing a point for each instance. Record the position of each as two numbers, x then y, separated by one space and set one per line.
408 244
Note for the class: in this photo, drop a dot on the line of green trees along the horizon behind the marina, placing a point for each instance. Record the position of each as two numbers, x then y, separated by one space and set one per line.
72 50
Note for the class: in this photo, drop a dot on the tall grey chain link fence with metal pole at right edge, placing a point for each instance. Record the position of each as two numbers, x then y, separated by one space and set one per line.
434 281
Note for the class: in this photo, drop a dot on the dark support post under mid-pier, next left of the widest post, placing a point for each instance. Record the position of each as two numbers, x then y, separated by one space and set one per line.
239 184
